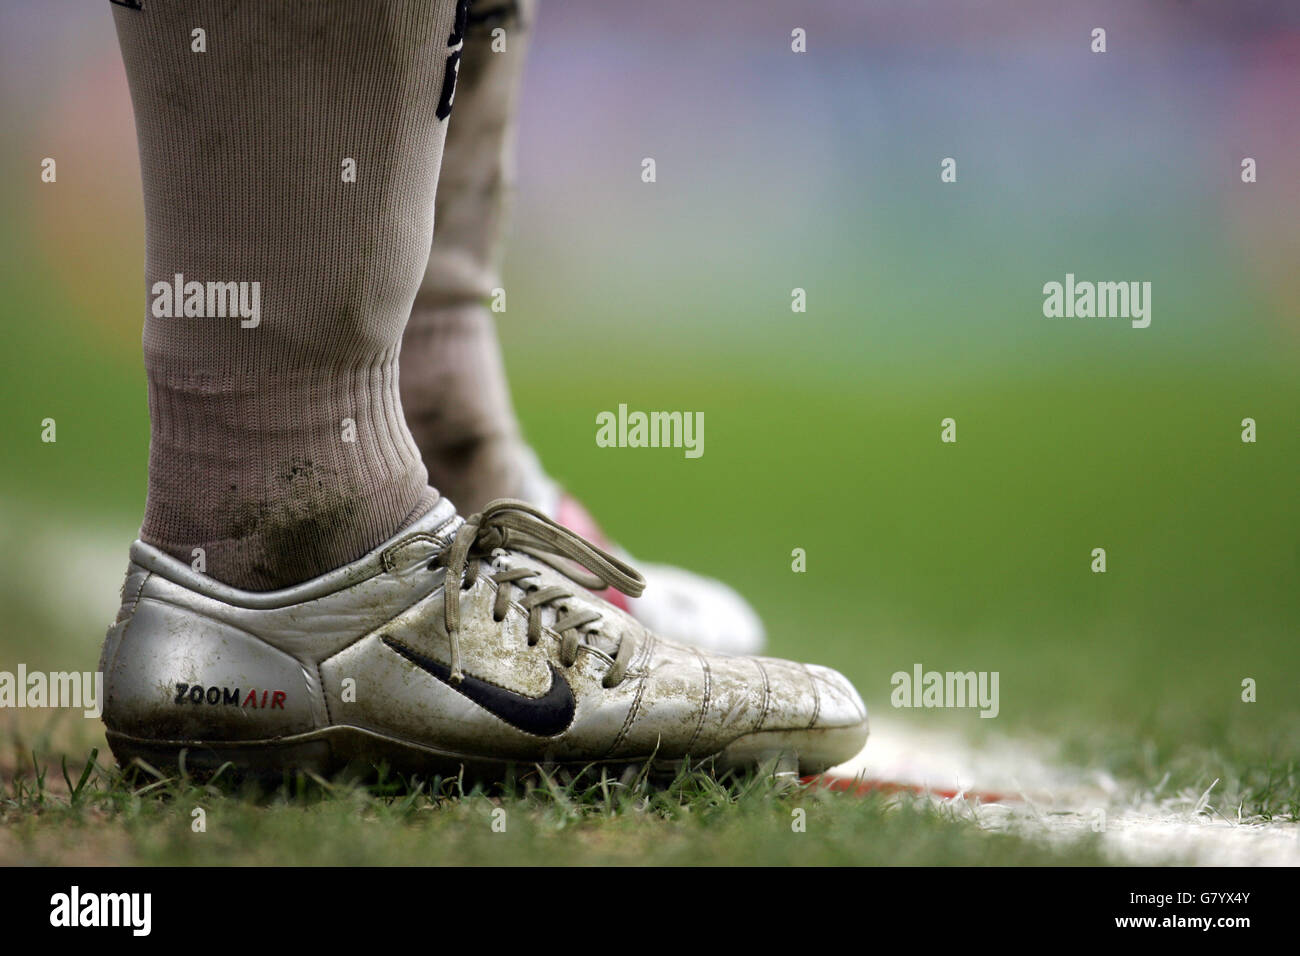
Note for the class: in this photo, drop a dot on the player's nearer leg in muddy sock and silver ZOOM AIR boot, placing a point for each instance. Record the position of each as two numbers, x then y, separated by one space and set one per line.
398 631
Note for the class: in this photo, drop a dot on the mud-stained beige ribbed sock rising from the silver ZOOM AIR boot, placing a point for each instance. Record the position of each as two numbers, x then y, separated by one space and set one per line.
291 154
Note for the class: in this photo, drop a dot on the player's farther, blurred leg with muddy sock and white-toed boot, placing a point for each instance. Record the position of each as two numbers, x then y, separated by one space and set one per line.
453 379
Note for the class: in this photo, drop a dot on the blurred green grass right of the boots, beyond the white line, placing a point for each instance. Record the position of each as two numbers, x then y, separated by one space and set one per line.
977 556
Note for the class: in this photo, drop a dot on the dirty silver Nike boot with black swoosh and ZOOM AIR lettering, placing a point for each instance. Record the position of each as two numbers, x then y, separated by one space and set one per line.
456 644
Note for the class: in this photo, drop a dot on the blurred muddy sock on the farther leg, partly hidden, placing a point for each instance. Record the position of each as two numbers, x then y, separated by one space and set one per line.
453 379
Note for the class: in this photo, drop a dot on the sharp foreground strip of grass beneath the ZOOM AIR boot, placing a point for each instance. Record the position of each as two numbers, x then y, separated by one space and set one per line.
96 815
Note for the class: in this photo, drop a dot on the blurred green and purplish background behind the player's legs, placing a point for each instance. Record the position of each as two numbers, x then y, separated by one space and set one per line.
817 171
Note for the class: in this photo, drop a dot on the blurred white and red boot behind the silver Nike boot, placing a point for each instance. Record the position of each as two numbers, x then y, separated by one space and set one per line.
677 604
